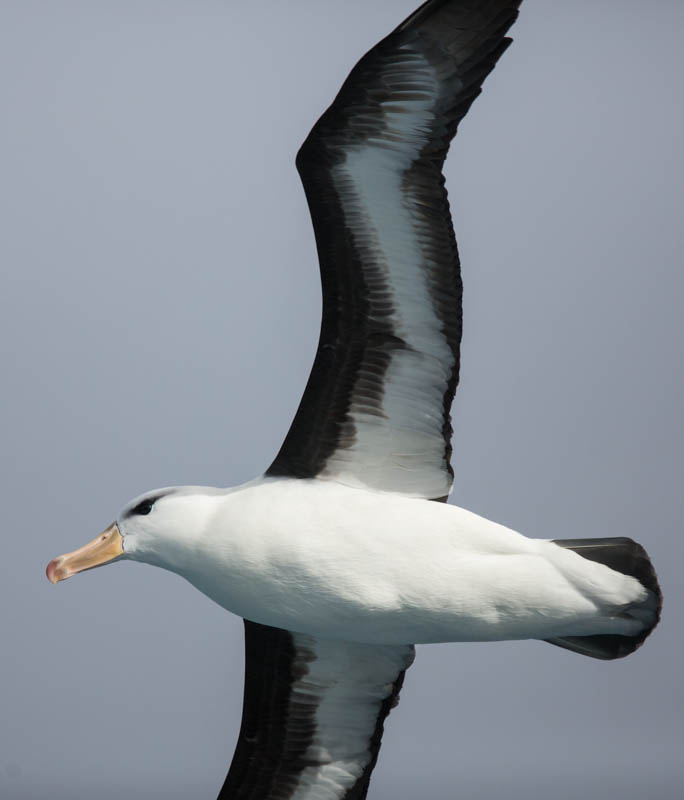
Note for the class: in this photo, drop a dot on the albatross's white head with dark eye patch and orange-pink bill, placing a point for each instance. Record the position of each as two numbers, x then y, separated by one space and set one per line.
158 528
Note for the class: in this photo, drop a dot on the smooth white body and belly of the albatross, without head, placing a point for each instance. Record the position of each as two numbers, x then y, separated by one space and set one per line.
336 562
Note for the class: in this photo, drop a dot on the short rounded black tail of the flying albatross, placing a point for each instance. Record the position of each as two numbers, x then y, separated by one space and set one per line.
626 556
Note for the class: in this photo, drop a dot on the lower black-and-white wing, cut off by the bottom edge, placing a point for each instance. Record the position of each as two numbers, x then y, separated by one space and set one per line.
313 716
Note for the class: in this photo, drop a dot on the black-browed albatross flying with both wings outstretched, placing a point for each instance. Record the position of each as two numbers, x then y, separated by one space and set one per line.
344 554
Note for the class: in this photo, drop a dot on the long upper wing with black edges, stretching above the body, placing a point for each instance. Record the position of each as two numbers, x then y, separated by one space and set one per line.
375 412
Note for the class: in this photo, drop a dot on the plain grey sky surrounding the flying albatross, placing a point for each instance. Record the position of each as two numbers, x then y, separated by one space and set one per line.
158 317
